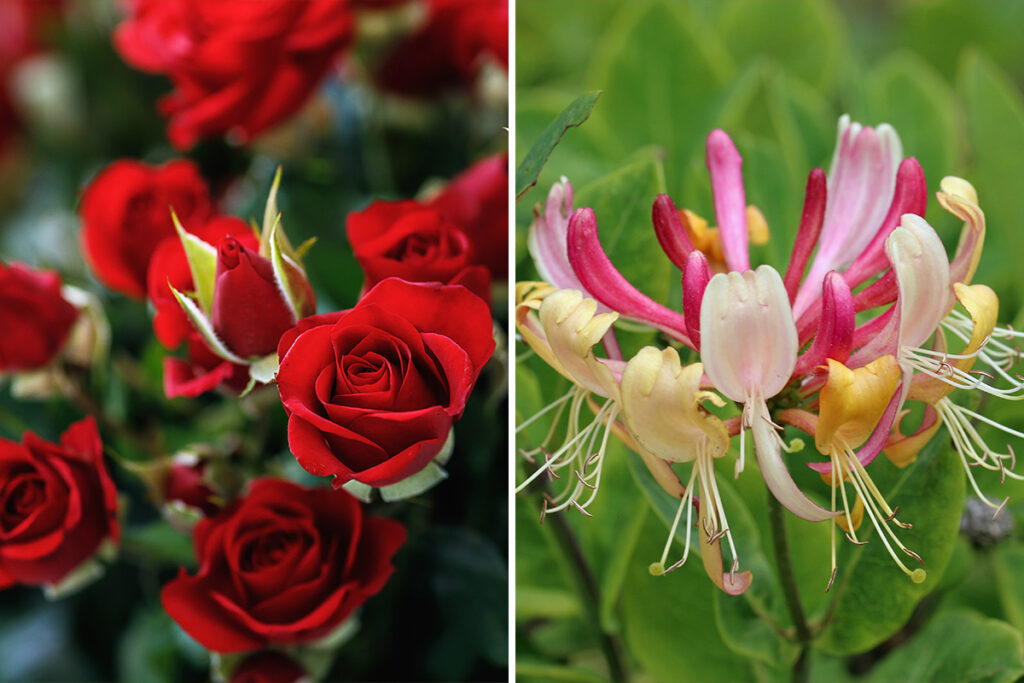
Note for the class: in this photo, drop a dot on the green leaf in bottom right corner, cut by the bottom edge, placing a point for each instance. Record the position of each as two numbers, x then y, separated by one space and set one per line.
959 647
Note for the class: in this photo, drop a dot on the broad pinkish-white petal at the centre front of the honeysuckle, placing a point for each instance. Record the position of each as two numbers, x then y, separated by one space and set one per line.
749 338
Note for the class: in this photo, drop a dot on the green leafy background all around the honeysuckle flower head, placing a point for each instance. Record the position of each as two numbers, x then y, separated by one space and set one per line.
777 75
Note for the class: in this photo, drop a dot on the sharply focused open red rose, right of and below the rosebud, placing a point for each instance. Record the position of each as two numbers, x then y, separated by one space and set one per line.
372 393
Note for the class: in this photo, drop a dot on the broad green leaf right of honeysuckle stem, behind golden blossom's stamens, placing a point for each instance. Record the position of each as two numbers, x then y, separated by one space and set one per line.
874 597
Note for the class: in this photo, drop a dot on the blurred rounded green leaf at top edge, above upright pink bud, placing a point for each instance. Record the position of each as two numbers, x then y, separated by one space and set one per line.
805 36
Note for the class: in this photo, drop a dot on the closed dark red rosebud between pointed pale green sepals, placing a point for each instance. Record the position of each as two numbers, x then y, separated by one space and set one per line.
249 312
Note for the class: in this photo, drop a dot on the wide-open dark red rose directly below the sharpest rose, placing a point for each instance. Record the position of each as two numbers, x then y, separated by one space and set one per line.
284 565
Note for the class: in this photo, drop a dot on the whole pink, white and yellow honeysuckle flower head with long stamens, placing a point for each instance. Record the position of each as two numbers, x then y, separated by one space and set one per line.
839 347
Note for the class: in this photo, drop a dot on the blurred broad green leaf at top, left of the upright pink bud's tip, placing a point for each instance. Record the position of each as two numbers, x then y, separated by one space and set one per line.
664 73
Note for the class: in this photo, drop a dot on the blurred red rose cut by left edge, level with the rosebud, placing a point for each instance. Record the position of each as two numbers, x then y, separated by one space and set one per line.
34 317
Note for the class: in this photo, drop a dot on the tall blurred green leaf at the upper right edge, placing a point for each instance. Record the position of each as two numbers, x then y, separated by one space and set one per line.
996 131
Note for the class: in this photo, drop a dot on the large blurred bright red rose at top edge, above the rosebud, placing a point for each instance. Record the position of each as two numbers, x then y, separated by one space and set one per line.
237 66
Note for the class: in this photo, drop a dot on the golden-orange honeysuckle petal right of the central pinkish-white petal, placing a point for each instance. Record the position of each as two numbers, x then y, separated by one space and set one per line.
852 402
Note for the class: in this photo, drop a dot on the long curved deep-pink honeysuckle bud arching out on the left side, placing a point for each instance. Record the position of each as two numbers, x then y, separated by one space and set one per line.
602 280
